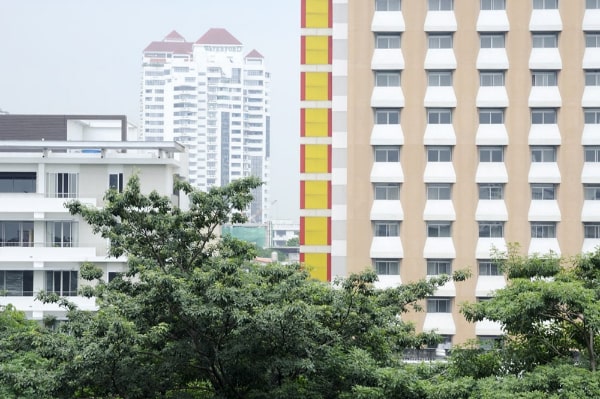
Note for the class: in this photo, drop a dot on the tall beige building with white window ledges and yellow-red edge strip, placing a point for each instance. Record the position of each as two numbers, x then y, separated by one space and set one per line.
433 131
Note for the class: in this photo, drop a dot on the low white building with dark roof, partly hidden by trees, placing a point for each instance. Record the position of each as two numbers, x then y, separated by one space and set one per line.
48 160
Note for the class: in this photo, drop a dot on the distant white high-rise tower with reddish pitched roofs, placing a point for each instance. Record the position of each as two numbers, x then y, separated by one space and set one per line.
215 100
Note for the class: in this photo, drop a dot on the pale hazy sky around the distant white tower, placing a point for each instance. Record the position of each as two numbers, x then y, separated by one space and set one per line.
84 57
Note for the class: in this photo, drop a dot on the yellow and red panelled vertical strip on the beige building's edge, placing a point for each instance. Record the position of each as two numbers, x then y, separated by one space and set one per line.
315 137
